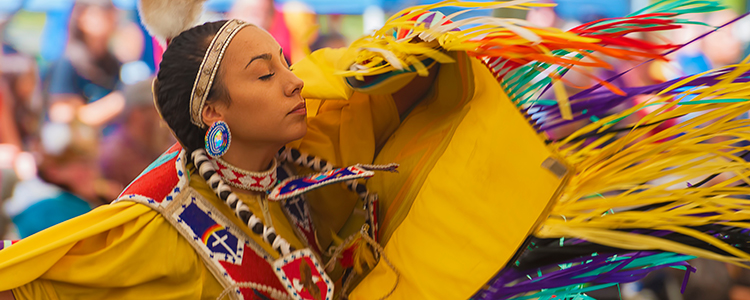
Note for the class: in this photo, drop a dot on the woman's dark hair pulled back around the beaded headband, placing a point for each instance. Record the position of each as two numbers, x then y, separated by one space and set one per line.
174 82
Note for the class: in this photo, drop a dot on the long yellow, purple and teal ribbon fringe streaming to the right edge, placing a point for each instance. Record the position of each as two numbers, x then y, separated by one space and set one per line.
680 190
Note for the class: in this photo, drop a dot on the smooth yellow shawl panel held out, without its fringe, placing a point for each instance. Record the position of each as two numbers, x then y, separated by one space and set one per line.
470 189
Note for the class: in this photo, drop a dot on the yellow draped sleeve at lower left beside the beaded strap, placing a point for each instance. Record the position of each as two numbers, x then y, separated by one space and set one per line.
120 251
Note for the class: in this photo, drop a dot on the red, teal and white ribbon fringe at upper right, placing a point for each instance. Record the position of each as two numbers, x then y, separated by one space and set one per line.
524 86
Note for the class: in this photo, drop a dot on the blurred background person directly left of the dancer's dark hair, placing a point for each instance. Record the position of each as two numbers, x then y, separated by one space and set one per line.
137 139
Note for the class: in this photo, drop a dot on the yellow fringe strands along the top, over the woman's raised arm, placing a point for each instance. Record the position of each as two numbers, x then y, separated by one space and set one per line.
381 52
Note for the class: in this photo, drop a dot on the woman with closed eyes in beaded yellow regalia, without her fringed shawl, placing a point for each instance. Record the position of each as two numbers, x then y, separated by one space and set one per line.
203 221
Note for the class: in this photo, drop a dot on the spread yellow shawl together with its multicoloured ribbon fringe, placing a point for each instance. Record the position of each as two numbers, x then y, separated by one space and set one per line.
476 181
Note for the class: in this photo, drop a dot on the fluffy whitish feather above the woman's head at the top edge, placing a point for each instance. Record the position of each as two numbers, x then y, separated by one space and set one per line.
165 19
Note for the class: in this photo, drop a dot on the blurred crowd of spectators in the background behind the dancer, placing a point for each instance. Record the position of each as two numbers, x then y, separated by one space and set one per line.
78 128
